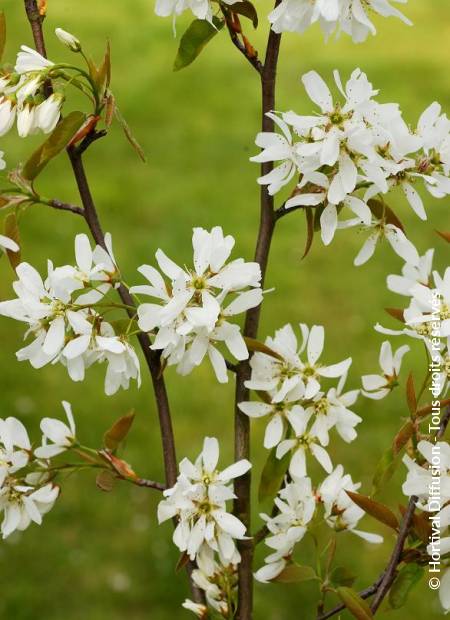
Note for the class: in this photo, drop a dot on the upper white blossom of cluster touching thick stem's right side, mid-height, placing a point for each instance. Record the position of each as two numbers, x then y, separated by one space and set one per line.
286 371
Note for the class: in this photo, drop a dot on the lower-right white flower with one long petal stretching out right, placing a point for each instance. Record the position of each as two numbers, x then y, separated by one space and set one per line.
341 513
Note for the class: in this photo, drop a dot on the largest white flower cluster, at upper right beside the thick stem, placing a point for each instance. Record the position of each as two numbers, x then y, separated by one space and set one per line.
352 152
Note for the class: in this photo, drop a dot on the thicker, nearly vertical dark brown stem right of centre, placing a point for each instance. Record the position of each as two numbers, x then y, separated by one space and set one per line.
242 487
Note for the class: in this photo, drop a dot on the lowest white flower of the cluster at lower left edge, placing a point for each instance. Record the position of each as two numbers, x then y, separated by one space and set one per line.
23 504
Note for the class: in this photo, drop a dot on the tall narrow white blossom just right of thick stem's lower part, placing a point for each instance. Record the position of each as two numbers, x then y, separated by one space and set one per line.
296 506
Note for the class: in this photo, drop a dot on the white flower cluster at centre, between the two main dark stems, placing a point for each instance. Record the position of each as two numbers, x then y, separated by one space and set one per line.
193 310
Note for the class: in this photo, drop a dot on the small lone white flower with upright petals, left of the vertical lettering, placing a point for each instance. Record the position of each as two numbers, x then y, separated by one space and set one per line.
377 387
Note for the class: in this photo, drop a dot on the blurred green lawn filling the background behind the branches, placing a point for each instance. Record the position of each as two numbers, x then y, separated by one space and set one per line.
99 555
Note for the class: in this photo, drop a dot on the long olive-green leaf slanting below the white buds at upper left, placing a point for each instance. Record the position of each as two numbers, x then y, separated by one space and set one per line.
58 140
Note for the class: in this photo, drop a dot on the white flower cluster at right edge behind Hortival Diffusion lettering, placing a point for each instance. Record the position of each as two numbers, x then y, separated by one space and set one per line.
429 481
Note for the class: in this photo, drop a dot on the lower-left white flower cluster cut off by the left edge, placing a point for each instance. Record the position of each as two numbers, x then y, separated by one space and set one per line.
26 490
